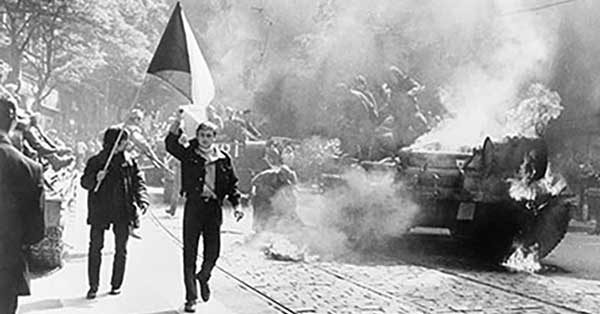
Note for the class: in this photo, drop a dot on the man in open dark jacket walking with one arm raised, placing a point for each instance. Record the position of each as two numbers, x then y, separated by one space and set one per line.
207 177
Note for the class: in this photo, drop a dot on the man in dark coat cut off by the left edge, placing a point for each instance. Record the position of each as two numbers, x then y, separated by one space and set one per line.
21 211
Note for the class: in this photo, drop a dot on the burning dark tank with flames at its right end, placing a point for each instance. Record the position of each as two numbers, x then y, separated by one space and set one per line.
499 197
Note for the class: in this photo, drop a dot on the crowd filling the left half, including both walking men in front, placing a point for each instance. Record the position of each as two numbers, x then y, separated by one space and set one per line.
117 193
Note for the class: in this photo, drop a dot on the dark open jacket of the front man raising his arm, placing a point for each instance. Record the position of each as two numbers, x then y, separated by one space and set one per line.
193 170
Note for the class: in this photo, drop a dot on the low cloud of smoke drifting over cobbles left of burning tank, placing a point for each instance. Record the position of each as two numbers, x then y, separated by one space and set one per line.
363 212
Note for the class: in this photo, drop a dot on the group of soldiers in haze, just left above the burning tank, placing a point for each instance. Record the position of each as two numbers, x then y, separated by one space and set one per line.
394 113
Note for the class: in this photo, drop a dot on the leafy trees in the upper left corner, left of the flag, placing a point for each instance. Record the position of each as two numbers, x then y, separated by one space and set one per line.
67 44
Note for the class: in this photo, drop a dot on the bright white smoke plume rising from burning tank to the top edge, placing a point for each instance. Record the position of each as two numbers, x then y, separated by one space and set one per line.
483 91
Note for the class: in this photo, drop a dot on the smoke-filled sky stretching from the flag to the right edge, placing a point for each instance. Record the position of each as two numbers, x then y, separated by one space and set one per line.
284 58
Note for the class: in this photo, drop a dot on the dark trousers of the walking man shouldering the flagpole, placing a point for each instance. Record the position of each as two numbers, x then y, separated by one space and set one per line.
121 232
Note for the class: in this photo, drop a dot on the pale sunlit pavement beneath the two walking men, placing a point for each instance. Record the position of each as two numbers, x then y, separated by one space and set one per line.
153 279
